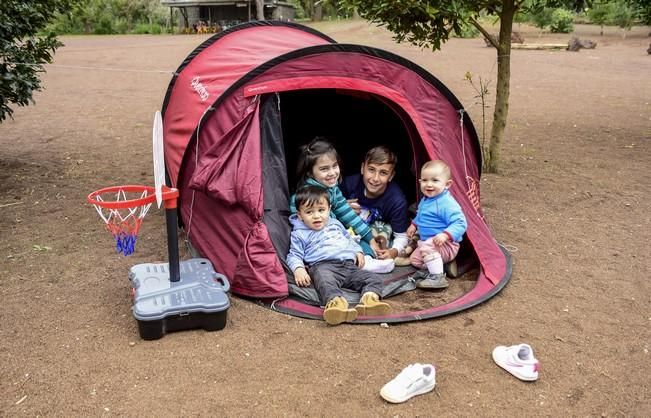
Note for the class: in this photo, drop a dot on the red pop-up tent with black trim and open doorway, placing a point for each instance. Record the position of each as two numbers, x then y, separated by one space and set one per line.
242 103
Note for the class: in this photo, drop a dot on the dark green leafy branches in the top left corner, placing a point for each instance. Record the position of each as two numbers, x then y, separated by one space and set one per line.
24 50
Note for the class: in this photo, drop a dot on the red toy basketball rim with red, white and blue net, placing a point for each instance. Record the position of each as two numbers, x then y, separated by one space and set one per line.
122 208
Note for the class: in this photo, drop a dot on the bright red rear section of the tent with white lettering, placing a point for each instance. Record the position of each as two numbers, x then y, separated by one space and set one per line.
213 67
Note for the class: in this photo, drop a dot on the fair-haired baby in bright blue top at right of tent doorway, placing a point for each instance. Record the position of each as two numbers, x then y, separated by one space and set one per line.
440 223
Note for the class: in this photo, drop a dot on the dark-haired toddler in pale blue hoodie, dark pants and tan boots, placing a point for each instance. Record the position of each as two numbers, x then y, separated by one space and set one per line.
321 245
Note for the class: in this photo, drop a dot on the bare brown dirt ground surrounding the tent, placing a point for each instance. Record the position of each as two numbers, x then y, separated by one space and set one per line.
571 203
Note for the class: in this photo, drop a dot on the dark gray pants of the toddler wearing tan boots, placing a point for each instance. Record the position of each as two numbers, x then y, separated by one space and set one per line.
329 277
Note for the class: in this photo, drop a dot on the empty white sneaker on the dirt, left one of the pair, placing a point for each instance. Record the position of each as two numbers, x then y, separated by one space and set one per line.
415 379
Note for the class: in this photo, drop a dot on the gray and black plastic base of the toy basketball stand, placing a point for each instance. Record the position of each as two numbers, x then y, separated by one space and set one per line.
197 300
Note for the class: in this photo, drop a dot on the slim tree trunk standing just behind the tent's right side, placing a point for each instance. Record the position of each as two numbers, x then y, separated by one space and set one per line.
500 115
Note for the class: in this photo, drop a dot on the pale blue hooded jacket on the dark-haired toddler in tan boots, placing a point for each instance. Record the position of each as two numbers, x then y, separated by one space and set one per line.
309 246
